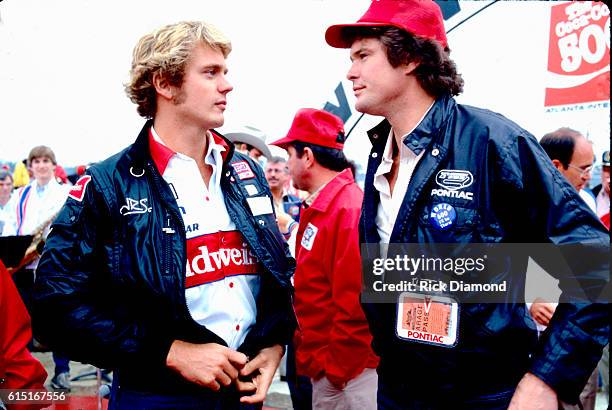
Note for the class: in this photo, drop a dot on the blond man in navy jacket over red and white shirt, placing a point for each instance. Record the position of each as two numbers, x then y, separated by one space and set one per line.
179 229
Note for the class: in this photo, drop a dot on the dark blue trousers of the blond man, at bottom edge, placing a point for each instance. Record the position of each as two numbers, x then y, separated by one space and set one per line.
125 399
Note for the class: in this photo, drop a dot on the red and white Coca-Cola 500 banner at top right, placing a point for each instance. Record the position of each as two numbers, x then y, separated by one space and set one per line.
579 54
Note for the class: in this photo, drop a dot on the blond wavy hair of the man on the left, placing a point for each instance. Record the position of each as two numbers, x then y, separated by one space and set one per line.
166 52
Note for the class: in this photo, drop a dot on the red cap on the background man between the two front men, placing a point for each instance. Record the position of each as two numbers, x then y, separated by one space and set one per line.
316 127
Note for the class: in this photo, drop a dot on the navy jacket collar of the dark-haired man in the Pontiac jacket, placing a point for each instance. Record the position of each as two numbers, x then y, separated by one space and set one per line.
420 138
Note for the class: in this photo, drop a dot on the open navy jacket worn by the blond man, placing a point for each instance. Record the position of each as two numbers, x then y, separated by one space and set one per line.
110 290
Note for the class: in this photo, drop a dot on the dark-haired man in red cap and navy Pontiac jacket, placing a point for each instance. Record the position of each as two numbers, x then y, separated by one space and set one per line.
440 172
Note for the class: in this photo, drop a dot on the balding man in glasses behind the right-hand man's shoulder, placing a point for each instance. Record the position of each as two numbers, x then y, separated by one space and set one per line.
573 156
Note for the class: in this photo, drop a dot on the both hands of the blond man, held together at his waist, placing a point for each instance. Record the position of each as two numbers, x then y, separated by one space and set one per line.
212 365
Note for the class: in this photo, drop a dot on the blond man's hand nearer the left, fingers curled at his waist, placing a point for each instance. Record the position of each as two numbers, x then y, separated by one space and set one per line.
208 365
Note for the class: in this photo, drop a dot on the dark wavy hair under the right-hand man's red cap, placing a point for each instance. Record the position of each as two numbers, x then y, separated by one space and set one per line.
436 73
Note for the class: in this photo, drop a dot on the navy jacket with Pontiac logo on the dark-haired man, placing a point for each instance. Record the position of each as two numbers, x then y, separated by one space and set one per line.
517 196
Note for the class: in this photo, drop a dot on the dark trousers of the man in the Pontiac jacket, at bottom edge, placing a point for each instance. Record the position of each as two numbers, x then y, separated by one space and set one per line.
402 398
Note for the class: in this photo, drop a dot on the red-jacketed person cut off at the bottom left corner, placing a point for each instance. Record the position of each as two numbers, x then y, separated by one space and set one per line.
18 368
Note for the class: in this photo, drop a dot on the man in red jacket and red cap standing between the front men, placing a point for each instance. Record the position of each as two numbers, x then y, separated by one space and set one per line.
333 346
